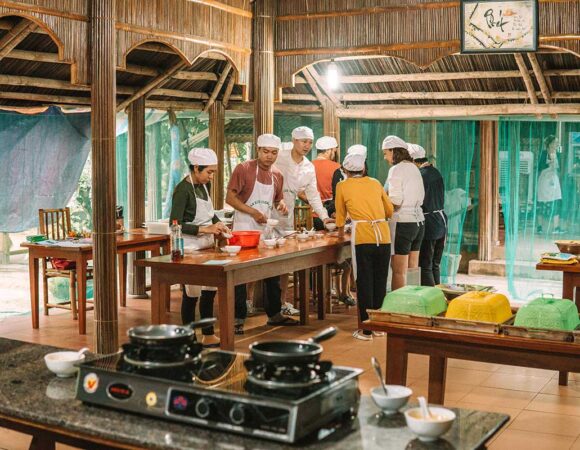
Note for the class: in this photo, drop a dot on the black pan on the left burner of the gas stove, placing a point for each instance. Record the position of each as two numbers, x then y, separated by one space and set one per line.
157 335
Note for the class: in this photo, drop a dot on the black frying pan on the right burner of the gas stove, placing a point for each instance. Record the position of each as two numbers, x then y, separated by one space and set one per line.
291 352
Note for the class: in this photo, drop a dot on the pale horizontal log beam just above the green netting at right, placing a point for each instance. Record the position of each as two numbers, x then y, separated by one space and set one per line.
393 112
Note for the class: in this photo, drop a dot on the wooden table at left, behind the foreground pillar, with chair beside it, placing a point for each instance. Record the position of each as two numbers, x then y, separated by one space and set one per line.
131 241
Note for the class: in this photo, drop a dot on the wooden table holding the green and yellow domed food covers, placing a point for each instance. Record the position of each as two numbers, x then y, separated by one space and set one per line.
440 344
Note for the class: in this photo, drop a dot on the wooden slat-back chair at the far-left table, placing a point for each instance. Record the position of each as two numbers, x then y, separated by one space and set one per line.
55 224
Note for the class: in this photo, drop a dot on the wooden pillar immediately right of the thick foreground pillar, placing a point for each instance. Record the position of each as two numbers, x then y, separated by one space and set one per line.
136 190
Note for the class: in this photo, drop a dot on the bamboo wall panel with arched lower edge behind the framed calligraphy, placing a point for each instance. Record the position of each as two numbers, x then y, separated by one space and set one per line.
421 31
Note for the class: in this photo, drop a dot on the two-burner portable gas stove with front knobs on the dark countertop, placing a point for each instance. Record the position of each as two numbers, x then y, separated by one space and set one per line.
226 391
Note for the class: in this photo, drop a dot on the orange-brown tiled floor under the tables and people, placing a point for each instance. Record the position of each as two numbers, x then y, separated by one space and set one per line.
543 414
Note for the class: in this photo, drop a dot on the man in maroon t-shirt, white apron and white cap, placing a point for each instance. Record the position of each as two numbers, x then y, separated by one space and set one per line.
254 191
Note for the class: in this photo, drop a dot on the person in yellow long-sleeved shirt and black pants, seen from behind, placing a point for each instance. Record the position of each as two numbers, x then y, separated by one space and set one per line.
364 200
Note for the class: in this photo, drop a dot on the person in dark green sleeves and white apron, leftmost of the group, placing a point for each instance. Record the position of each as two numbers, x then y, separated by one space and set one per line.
193 209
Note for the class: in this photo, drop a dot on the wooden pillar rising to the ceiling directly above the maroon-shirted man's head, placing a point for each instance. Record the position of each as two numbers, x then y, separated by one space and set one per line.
264 66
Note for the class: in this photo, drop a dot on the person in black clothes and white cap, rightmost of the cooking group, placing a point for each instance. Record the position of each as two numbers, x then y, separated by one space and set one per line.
435 219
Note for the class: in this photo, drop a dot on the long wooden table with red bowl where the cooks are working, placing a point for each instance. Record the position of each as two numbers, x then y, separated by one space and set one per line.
249 265
